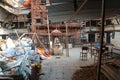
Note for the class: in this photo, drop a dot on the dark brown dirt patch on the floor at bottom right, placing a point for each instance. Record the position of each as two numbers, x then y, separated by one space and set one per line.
87 73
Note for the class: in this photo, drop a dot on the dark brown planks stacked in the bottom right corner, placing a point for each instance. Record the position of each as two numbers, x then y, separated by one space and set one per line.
112 69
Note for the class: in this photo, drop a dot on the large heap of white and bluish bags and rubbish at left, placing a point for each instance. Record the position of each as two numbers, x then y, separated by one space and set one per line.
18 56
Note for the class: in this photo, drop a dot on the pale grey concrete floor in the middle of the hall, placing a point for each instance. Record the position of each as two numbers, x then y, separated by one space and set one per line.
62 67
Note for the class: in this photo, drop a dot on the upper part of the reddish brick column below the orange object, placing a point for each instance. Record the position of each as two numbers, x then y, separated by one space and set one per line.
38 14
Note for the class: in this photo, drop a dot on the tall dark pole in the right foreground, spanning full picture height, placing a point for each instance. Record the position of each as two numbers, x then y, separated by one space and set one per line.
101 39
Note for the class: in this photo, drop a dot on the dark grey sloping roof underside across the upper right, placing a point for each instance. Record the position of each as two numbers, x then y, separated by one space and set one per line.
61 10
